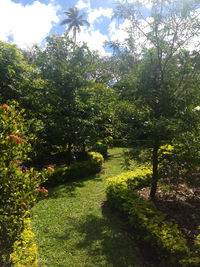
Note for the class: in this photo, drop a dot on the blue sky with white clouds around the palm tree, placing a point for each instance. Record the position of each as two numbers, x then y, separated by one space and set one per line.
29 22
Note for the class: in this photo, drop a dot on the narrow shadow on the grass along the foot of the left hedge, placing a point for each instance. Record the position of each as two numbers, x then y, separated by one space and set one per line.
69 188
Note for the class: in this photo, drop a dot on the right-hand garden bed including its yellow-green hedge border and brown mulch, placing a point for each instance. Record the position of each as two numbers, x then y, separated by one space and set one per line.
154 222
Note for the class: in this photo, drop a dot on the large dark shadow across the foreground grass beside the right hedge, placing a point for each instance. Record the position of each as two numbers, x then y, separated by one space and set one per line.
105 237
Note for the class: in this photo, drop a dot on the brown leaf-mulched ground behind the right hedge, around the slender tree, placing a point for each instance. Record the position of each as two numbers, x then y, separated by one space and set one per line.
181 204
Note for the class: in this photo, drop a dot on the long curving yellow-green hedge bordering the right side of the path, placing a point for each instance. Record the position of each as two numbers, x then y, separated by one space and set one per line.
148 221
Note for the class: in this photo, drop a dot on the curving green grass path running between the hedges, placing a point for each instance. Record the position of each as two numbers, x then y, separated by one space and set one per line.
73 229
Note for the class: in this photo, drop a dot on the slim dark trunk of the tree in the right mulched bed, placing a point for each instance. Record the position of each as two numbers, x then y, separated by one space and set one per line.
155 168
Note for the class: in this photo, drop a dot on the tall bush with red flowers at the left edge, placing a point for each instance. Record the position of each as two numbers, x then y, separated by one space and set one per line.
18 185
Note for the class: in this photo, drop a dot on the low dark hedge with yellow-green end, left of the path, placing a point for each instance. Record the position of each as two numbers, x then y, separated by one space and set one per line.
76 170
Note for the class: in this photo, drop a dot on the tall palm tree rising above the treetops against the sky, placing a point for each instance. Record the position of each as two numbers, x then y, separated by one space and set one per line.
74 21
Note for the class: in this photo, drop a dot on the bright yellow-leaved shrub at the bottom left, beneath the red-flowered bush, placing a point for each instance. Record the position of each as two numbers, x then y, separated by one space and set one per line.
25 250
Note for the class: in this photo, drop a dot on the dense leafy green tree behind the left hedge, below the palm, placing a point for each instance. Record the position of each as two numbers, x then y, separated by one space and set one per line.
74 108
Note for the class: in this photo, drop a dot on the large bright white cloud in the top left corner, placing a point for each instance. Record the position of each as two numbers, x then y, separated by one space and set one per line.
27 24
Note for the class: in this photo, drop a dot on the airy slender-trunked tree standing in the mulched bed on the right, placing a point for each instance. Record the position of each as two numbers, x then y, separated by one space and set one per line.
167 79
